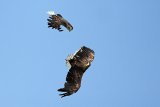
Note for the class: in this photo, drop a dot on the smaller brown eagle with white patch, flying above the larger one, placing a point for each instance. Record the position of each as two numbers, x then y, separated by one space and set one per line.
56 20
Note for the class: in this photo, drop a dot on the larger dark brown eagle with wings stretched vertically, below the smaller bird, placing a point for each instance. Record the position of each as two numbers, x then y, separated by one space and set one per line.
79 62
